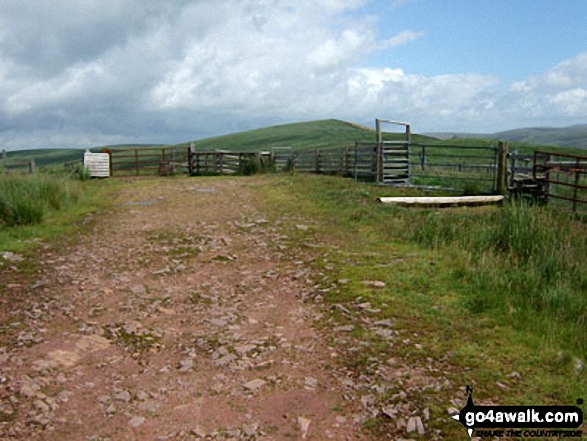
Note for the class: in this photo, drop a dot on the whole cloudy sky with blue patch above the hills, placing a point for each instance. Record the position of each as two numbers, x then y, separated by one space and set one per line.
84 73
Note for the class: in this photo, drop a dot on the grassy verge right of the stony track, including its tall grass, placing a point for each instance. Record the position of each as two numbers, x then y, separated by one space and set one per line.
493 291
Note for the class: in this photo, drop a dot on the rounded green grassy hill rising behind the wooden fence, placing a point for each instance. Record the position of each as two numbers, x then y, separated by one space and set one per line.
303 135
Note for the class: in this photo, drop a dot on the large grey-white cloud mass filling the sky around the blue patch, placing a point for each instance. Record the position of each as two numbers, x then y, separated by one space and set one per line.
159 71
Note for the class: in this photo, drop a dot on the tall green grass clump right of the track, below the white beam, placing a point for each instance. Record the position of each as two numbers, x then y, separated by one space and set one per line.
523 263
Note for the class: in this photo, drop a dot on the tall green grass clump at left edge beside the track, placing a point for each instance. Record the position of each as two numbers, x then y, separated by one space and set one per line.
26 199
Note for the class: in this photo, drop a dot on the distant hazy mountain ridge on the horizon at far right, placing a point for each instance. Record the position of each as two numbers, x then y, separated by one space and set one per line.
571 136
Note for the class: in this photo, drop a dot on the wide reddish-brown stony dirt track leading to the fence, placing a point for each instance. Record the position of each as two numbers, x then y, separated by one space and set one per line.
178 317
